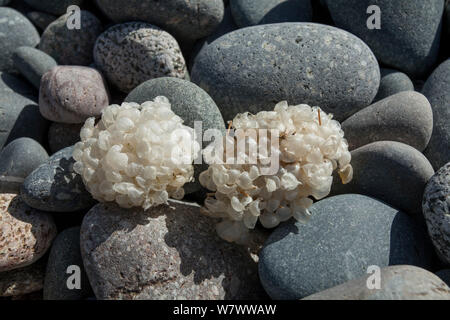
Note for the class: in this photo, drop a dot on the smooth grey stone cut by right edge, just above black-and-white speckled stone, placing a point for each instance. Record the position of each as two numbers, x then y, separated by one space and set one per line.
437 90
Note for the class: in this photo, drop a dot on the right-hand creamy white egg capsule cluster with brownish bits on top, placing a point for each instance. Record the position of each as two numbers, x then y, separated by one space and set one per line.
310 146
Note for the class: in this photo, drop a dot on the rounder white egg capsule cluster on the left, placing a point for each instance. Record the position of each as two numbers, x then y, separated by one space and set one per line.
136 155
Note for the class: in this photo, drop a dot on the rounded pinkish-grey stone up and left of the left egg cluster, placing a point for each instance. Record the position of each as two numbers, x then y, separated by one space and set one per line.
71 94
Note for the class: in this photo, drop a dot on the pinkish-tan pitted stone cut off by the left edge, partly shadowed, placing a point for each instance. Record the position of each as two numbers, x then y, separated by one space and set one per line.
26 234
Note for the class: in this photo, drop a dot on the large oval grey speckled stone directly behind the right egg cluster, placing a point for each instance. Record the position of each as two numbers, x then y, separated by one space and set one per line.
254 68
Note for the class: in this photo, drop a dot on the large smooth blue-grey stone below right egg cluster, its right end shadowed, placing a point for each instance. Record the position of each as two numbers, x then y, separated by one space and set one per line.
345 235
